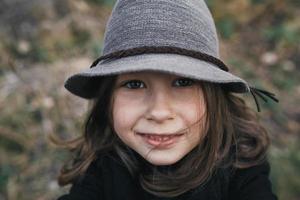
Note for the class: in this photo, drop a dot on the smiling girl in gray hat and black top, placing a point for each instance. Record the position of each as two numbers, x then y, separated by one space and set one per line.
164 122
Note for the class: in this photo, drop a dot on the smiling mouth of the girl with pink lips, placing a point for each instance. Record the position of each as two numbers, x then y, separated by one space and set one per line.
160 140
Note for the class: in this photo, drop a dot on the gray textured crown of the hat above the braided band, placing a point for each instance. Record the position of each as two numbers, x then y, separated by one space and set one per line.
185 24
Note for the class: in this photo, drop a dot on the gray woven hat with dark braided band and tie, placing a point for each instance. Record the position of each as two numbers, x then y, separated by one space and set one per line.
173 36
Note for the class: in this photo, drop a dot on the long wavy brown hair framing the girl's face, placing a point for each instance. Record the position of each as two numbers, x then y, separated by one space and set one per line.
234 138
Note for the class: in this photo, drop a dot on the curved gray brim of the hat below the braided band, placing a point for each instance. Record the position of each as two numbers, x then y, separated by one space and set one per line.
84 84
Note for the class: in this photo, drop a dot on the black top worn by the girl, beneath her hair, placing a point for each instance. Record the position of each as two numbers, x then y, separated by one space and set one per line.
108 179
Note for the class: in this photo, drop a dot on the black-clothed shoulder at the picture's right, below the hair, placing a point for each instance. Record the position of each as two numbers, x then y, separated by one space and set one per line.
251 183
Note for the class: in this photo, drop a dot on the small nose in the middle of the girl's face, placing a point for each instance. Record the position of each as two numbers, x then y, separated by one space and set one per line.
159 107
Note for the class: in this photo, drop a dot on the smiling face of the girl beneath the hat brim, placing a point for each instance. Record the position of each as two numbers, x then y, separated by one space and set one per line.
159 115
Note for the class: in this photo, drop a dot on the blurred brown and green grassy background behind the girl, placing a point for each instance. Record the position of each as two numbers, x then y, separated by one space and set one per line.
44 41
